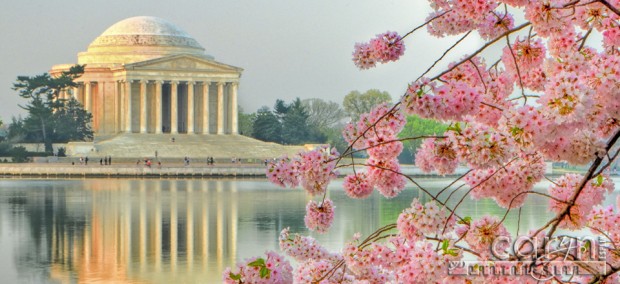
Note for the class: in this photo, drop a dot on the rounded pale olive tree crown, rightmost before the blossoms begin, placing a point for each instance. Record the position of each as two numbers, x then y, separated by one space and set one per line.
356 103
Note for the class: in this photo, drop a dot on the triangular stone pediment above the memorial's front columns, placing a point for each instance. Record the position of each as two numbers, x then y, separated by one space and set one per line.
183 63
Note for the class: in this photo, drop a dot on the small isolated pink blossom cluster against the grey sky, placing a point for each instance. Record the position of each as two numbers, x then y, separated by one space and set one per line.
384 48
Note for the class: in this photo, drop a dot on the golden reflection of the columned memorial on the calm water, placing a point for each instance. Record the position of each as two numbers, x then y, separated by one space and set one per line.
158 237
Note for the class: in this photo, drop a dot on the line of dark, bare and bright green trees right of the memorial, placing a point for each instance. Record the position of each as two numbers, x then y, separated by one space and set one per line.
317 121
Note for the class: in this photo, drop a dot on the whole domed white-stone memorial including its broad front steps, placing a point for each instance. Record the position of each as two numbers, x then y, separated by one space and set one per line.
148 84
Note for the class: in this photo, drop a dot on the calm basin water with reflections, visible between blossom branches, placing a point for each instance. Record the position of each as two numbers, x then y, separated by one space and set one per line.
181 231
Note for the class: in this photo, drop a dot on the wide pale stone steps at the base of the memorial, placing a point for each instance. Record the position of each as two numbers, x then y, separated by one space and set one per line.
126 146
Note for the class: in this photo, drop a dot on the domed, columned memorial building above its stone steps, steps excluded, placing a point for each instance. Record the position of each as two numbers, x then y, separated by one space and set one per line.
145 75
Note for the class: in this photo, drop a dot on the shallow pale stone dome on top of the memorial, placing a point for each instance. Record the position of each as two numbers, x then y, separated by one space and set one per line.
138 39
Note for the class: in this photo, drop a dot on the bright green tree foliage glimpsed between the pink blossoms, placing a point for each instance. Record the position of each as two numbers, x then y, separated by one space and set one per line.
417 126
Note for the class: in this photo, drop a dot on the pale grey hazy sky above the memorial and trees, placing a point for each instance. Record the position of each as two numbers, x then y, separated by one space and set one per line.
288 48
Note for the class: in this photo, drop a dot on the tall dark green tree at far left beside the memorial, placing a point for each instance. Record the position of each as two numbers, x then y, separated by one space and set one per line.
42 93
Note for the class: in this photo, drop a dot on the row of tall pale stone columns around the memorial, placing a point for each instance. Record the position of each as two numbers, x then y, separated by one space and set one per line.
125 109
